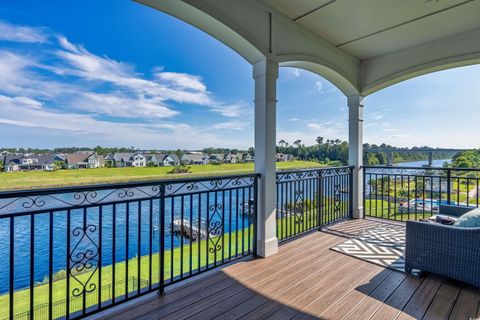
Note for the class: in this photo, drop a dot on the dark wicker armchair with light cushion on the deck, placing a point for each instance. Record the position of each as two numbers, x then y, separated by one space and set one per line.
446 250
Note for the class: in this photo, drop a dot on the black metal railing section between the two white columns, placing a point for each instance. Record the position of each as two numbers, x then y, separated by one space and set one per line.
309 199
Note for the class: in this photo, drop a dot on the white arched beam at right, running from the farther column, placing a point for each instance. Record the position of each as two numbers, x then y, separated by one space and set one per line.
446 53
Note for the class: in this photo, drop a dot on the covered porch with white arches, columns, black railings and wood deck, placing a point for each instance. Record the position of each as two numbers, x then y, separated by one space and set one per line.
167 236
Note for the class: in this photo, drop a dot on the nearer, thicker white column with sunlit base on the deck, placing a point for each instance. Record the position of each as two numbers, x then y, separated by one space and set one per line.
265 74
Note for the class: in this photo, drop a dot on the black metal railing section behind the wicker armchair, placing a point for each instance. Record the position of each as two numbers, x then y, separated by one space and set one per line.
403 193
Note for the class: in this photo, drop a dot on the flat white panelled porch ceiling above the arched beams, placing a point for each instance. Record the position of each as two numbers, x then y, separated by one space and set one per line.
371 28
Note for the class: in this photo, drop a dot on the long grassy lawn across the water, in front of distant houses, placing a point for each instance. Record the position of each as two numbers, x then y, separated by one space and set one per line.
42 179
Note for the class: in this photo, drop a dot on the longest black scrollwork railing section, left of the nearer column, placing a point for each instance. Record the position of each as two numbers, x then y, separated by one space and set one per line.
68 252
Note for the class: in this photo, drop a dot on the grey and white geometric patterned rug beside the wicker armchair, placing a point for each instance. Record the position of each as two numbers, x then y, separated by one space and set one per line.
384 246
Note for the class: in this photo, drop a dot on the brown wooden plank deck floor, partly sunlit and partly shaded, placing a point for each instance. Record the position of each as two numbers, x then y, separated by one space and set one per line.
306 280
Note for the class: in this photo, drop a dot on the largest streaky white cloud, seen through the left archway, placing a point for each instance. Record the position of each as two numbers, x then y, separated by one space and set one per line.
130 95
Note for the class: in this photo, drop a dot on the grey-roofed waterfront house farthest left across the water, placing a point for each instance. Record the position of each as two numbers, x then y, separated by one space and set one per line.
30 162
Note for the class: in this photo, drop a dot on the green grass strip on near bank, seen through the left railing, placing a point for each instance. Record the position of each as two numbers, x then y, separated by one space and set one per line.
172 266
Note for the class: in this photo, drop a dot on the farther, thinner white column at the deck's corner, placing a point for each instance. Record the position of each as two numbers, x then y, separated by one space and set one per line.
355 151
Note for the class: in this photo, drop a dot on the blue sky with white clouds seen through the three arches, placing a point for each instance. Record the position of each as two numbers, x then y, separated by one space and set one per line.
116 73
